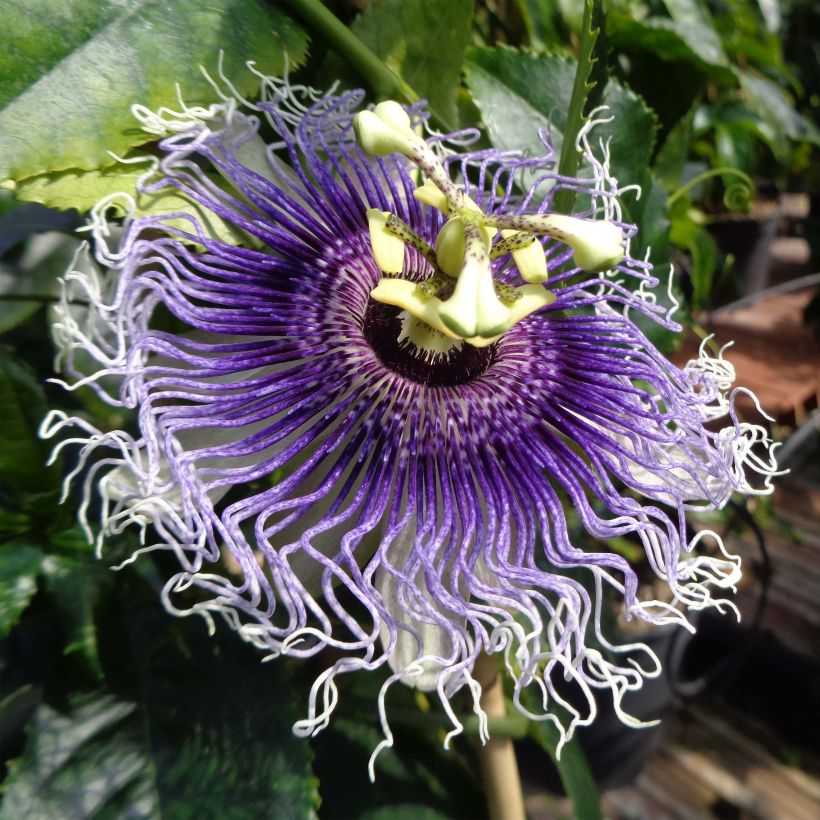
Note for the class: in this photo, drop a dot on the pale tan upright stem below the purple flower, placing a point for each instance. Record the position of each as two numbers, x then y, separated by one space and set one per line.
499 769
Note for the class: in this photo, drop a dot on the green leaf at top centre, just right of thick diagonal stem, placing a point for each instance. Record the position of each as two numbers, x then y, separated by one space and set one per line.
422 41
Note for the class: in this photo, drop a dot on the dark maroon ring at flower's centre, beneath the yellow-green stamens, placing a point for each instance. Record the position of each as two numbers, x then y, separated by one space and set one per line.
406 350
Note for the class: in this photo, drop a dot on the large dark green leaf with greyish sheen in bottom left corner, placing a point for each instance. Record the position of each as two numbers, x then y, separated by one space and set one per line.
207 742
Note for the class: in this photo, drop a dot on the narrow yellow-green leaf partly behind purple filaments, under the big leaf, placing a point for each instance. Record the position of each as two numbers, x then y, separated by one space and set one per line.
83 189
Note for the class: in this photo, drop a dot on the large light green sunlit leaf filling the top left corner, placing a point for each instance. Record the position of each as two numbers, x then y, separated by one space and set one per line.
78 66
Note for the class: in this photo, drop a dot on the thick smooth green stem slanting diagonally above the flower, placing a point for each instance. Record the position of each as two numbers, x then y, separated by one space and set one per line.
386 83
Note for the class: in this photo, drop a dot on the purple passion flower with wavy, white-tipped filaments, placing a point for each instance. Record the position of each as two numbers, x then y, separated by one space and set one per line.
370 371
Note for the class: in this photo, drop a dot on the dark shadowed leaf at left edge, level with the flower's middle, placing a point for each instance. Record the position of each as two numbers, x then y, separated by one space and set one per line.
23 455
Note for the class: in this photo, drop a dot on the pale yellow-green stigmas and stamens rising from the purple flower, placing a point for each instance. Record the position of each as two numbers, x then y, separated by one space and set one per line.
462 301
